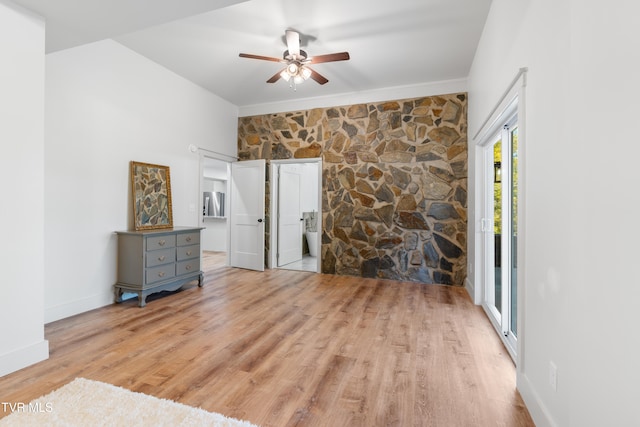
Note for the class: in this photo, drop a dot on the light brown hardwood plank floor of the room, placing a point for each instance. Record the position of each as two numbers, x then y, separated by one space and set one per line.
285 348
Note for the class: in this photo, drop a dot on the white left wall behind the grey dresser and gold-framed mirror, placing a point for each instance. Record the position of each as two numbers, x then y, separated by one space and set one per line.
106 106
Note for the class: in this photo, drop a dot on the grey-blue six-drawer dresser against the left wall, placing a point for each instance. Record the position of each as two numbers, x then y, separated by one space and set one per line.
157 260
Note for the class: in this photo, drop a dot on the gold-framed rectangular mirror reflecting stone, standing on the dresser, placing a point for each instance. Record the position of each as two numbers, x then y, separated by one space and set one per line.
151 189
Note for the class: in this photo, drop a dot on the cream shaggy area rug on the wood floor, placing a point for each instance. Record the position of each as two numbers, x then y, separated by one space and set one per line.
85 402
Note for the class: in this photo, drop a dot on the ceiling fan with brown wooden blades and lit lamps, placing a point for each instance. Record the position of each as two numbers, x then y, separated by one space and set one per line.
297 62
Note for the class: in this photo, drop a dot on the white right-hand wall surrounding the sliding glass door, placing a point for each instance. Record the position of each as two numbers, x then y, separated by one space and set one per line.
579 195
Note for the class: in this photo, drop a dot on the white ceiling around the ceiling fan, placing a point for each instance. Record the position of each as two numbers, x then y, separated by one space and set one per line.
391 42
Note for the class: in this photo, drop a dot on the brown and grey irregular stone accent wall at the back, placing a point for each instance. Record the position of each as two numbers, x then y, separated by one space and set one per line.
394 182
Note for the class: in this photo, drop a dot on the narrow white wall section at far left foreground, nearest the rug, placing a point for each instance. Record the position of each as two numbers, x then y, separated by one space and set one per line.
22 340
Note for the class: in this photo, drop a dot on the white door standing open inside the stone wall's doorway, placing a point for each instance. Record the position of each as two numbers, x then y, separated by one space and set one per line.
289 215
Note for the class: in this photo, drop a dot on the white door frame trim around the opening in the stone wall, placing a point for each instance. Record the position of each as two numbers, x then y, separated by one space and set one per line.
273 209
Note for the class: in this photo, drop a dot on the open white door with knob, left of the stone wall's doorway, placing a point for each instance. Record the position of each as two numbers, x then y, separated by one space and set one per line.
246 213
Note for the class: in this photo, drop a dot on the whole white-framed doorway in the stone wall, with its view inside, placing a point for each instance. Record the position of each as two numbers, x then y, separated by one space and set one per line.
296 212
